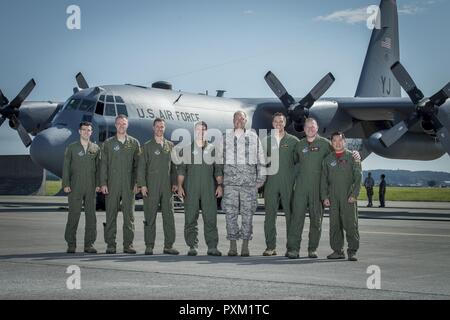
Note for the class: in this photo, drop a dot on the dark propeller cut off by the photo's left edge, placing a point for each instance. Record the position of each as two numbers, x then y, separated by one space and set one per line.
10 110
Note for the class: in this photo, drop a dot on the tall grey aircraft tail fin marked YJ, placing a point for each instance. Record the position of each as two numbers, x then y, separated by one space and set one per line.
376 78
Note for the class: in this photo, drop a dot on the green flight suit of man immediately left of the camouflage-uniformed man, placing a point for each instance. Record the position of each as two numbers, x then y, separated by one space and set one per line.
199 186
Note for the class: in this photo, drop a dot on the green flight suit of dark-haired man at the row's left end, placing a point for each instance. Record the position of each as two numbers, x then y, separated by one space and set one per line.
80 173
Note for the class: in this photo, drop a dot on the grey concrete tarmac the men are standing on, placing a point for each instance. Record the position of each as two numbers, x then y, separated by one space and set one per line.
409 243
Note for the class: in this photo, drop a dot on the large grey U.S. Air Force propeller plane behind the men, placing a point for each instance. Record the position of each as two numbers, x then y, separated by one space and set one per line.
377 119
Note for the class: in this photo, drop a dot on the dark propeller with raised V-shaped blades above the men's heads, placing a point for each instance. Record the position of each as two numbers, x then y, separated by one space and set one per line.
298 111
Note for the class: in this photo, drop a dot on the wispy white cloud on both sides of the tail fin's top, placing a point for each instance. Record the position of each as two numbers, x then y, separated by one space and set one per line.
360 15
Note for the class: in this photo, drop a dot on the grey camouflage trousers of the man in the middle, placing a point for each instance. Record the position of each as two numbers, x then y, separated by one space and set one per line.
238 199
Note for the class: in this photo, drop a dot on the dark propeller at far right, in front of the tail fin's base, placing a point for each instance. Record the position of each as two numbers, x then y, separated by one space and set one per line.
427 110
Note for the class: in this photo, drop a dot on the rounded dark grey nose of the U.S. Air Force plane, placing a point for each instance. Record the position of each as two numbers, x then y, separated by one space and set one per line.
47 148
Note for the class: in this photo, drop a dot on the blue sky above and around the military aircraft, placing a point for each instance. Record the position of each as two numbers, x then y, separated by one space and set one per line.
208 45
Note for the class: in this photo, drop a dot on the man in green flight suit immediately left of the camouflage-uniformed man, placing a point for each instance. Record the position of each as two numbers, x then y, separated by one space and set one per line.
197 177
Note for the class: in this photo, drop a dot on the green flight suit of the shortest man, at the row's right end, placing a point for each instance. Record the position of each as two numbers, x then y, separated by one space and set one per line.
341 178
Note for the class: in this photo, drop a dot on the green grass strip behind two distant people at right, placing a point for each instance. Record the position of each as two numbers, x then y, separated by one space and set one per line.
410 194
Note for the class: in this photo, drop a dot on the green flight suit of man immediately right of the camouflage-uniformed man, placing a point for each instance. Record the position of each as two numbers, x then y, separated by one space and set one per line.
279 185
